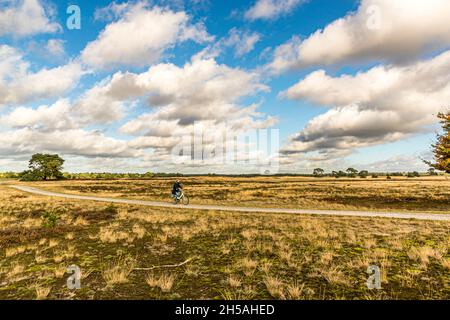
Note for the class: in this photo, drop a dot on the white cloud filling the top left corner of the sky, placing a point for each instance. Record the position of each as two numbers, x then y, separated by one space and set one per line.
22 18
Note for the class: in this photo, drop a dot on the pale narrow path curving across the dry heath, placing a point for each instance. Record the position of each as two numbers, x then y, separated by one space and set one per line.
370 214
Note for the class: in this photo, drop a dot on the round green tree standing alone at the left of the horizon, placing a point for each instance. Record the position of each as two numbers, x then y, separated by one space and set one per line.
44 167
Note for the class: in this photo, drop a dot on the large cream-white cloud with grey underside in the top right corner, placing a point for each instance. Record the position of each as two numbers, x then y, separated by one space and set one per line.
381 30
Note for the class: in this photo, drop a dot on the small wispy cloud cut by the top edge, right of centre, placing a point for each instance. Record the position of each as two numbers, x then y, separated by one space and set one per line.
270 9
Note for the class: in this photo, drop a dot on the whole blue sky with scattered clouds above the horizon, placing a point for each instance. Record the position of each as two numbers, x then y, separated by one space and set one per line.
266 86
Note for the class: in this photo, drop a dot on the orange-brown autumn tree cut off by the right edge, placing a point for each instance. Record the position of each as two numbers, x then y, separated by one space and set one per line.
441 149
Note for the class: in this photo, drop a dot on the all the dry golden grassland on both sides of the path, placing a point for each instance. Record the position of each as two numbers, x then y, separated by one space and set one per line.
134 252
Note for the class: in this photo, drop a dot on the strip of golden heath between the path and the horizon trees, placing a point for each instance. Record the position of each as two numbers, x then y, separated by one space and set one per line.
427 194
